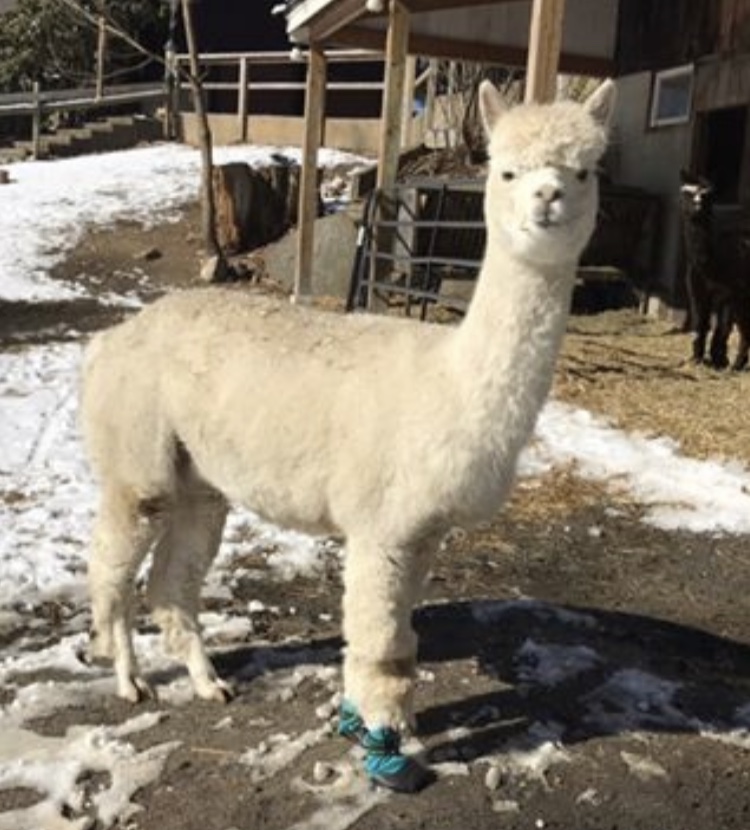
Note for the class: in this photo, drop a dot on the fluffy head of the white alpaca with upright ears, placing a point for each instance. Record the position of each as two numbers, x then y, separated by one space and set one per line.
542 192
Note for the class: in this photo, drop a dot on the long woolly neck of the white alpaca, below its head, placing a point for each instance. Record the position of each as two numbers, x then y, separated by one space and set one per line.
507 345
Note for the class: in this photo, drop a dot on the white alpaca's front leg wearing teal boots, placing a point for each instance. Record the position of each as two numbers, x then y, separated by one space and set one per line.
381 584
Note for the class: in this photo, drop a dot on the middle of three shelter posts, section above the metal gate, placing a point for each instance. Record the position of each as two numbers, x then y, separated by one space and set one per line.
396 49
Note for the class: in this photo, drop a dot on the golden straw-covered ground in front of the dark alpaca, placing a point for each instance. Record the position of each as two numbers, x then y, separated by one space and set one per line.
636 371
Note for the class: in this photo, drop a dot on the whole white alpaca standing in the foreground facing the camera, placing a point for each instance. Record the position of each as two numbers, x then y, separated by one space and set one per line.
386 431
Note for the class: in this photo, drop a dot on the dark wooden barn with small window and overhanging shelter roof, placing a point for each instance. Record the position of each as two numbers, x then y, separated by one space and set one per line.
682 68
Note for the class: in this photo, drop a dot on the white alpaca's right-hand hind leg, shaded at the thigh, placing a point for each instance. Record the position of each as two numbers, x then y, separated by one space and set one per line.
181 560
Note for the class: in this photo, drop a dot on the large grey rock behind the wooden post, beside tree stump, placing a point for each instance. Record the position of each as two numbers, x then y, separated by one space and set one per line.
333 256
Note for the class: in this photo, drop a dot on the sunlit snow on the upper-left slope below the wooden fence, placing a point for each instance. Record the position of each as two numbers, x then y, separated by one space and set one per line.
49 205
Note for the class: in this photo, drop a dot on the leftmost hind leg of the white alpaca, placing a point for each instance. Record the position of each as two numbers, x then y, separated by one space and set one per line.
124 531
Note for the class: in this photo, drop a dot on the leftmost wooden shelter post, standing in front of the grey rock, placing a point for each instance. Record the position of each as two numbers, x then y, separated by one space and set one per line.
308 192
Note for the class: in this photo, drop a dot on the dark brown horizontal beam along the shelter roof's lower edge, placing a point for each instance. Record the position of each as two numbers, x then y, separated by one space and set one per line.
441 47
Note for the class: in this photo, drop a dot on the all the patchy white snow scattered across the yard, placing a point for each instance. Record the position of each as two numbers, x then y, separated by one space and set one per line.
47 499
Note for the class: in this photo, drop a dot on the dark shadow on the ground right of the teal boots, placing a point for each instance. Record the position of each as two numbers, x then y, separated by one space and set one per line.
572 674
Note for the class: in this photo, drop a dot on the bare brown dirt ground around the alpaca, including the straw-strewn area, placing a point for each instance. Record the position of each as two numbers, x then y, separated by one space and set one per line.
667 605
